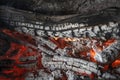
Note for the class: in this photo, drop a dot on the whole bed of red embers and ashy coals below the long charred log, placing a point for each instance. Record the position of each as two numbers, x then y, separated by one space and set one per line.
75 55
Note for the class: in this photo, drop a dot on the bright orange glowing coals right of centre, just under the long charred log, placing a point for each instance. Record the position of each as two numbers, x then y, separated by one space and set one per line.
93 50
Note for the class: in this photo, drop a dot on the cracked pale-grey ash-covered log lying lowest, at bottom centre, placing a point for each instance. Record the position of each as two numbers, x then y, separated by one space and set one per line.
66 63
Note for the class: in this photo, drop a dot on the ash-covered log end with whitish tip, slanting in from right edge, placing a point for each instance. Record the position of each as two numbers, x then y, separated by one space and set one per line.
109 54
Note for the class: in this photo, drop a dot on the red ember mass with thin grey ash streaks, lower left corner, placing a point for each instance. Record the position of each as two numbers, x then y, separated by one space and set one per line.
23 59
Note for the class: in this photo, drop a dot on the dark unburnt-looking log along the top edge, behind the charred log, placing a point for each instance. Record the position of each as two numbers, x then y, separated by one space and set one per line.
62 7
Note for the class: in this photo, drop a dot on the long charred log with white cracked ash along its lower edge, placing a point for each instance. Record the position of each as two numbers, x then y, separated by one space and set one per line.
98 26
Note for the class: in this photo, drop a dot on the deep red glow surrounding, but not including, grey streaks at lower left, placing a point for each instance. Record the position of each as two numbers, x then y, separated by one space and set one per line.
17 71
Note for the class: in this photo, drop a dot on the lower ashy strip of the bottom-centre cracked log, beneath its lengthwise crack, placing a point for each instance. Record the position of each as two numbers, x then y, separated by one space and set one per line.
51 65
